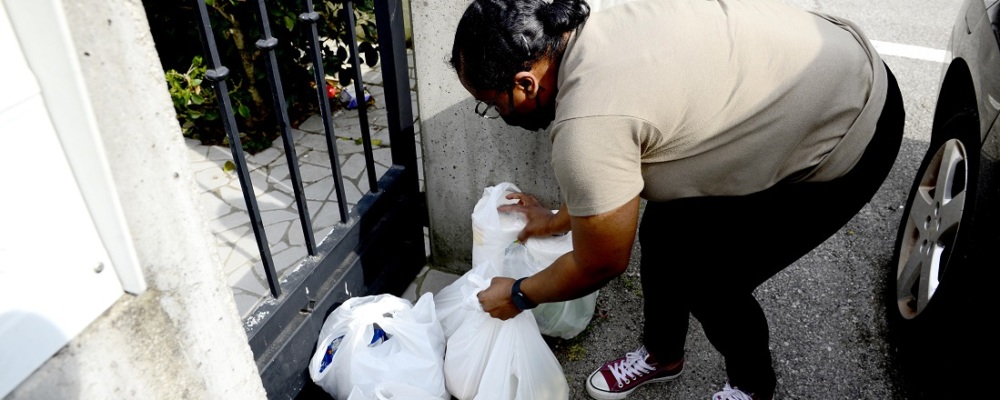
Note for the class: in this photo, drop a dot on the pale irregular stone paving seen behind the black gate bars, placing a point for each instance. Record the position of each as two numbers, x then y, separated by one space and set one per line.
225 209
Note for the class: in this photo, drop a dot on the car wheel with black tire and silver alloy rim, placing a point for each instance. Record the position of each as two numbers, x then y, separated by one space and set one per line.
928 275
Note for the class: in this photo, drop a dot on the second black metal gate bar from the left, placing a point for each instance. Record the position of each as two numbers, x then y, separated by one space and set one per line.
267 44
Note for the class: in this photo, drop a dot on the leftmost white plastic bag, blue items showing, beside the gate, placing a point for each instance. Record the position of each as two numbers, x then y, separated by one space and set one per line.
373 344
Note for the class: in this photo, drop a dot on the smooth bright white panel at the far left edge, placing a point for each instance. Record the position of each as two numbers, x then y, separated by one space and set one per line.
56 276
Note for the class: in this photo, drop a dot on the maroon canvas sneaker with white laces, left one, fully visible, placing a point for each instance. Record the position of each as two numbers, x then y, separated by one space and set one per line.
616 379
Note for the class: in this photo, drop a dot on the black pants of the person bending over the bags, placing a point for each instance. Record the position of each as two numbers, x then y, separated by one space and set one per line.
705 256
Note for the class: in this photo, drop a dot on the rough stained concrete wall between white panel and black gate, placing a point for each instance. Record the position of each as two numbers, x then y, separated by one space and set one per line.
182 338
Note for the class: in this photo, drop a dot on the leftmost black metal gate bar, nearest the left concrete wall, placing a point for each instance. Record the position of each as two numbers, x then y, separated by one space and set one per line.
217 74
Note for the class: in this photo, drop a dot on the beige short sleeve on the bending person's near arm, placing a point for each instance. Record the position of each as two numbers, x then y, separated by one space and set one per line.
598 162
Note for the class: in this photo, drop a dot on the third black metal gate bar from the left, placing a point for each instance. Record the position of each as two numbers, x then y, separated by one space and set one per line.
316 52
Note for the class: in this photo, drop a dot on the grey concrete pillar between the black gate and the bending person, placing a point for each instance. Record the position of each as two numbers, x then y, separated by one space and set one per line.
462 152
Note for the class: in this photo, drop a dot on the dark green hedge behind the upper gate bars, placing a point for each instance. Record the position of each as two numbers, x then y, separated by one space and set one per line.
174 28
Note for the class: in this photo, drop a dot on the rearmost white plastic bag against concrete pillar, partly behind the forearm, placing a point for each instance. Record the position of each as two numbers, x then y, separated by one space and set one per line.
495 238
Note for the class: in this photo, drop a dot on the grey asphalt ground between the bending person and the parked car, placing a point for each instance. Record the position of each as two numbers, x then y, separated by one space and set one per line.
827 312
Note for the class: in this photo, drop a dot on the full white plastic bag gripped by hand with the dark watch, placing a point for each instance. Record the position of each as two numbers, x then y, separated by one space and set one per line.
490 359
